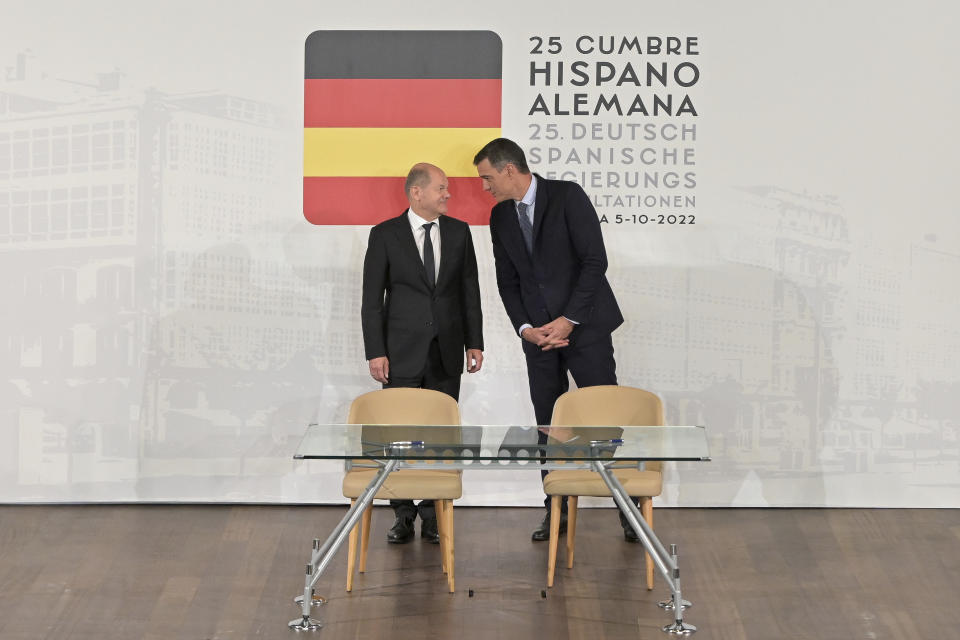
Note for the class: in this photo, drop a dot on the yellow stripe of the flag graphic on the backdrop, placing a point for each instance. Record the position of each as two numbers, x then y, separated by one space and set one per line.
377 152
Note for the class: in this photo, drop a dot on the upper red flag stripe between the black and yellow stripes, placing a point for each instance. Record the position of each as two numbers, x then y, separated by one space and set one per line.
419 103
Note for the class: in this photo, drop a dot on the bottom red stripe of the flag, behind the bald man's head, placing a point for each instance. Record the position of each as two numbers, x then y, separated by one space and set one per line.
346 201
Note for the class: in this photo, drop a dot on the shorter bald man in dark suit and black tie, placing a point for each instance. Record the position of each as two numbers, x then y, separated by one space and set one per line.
421 309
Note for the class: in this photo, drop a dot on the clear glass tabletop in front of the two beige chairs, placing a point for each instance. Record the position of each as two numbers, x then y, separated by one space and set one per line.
503 443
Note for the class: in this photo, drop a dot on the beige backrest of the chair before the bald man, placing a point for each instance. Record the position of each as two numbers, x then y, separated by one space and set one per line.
404 406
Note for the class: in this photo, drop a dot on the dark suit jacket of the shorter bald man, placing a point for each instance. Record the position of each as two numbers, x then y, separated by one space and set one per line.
401 314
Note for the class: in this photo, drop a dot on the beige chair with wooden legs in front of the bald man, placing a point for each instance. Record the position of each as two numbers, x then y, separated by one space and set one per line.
413 407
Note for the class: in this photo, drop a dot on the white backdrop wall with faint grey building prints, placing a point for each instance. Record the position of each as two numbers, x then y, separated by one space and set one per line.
170 321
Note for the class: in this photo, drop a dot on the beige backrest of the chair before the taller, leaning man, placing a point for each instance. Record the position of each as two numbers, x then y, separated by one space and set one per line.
609 405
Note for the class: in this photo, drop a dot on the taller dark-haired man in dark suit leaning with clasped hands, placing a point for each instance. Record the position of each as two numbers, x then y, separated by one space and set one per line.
550 263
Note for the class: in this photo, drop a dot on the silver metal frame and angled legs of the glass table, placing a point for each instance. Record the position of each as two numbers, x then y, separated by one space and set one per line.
666 563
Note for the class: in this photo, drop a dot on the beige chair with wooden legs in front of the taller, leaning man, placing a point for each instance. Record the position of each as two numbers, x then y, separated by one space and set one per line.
602 405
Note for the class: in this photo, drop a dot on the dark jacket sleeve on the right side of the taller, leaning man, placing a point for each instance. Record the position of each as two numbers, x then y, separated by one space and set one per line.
587 240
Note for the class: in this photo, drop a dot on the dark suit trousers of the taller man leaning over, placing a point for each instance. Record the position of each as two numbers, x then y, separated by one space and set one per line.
590 364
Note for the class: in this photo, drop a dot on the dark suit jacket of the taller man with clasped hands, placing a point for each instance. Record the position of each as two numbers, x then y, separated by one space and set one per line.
565 274
